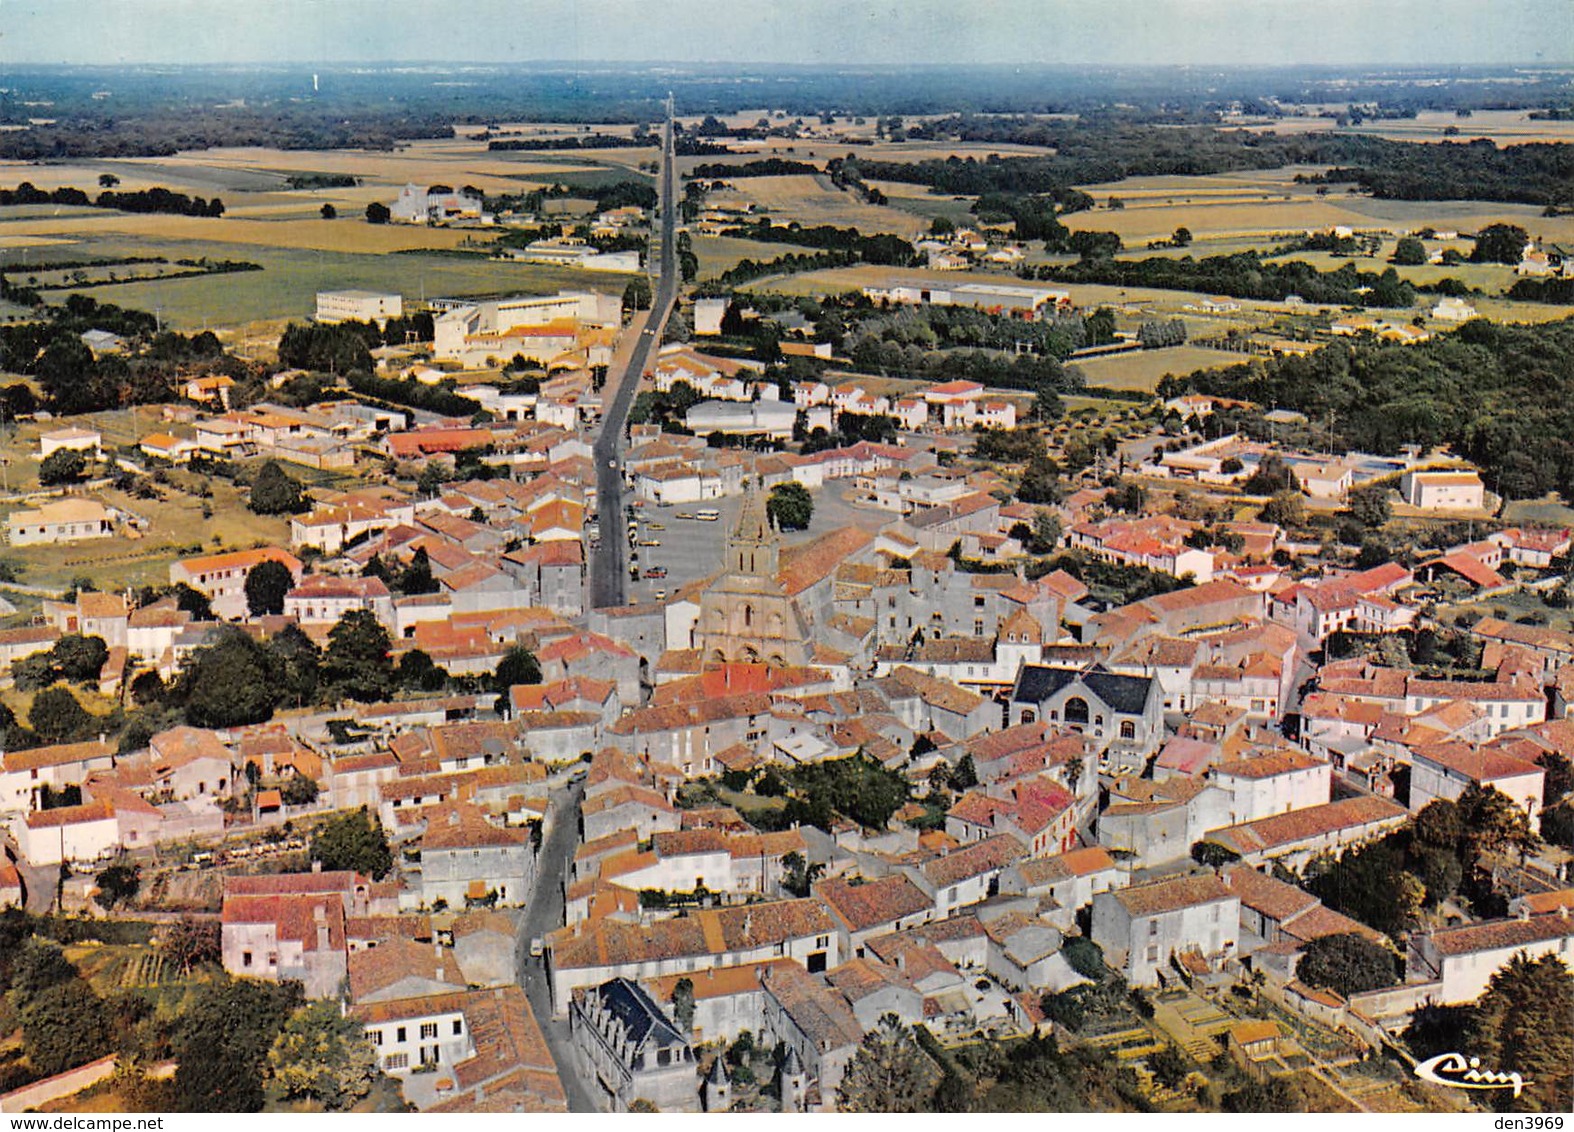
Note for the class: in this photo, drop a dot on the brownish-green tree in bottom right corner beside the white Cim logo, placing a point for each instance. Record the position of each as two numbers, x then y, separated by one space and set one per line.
1523 1024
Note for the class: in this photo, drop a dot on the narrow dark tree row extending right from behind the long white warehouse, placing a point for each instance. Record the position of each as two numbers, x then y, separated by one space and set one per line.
1243 276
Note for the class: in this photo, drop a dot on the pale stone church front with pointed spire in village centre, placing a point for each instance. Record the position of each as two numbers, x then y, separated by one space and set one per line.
747 615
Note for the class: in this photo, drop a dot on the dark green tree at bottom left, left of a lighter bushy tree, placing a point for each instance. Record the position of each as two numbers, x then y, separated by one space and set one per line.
224 1040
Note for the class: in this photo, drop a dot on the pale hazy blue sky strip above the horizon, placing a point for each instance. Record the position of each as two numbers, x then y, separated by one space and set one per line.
892 32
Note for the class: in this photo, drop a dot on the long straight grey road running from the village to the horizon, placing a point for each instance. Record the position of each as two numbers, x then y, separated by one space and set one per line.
610 563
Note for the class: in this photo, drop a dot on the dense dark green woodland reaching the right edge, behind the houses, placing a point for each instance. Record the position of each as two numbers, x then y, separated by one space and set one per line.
1499 396
